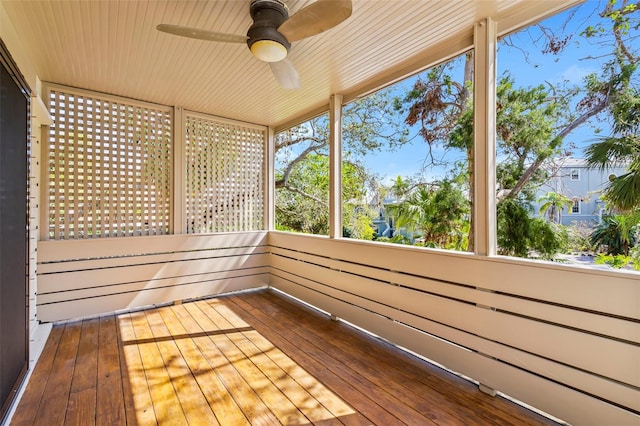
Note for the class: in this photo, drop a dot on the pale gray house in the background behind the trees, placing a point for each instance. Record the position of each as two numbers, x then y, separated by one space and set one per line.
572 178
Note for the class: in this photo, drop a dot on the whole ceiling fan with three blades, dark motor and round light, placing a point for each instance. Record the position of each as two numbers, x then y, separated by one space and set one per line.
273 31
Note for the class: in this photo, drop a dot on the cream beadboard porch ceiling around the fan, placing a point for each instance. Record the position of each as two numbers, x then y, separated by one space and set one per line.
114 47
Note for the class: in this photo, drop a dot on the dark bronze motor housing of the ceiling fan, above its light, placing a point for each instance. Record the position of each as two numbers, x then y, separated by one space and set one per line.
267 16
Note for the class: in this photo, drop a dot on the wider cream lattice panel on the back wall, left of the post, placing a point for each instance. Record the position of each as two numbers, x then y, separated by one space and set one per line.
109 167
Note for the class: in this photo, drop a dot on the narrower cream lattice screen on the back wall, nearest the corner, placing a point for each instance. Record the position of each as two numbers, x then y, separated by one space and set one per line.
224 175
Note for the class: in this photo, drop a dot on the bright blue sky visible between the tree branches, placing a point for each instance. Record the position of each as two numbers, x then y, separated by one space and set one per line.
535 69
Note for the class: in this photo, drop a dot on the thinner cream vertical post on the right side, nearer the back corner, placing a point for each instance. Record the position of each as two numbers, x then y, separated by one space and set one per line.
335 167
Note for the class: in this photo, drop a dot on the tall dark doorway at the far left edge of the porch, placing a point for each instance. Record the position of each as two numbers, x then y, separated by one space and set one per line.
14 236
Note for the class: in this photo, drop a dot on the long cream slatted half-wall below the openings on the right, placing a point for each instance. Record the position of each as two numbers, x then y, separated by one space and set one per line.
565 340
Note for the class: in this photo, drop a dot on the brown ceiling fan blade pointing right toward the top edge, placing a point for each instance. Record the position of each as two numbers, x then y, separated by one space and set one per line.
315 18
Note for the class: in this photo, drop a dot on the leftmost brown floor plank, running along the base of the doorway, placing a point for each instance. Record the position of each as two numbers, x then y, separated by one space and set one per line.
33 394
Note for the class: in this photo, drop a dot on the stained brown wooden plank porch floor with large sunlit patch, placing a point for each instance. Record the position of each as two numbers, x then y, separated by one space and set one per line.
251 358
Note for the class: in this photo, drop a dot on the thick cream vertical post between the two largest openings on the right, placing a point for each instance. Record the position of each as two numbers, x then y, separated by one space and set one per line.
484 140
